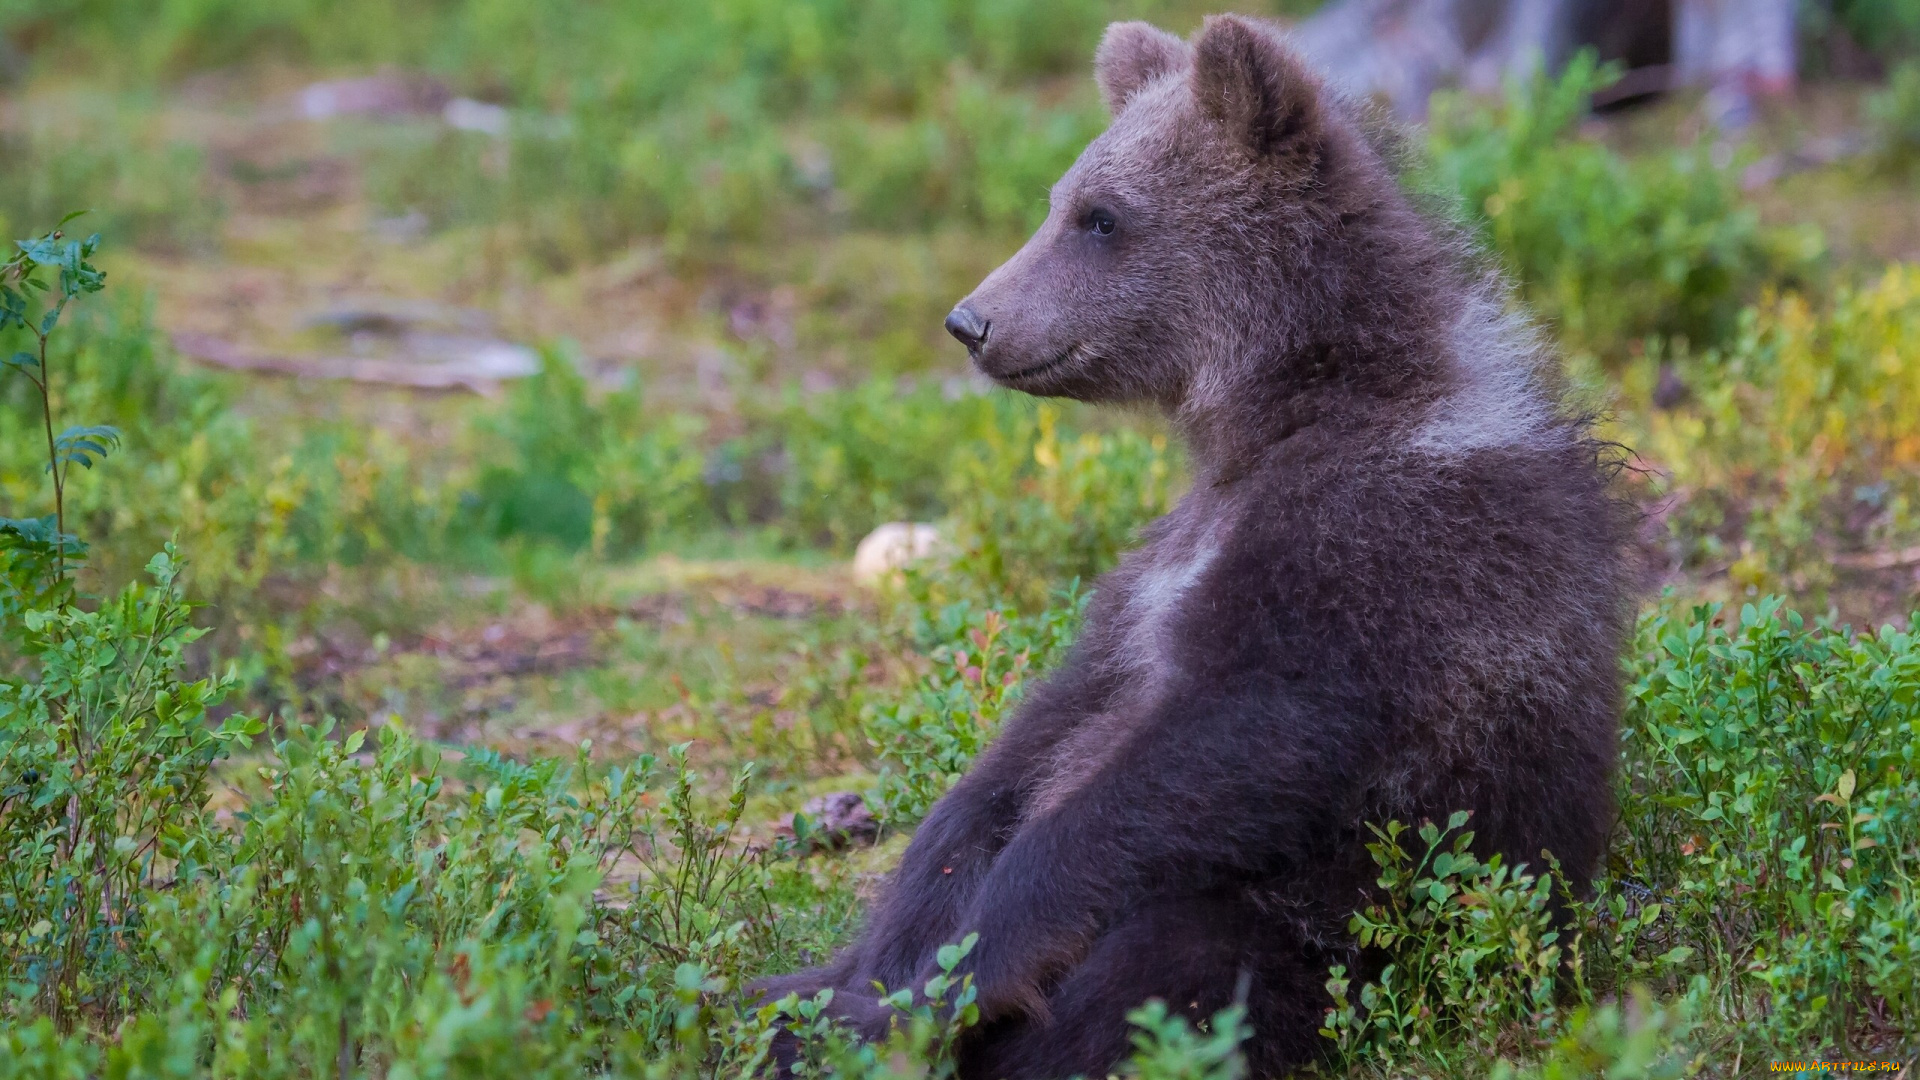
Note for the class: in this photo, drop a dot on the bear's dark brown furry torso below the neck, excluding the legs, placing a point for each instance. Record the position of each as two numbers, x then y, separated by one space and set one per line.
1458 606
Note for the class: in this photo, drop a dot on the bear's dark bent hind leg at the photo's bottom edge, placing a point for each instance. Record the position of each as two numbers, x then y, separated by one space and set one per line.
1191 952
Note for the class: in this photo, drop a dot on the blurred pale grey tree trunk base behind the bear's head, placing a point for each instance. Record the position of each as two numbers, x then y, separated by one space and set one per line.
1404 51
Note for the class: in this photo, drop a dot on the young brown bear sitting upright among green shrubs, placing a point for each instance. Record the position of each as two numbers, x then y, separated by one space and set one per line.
1395 591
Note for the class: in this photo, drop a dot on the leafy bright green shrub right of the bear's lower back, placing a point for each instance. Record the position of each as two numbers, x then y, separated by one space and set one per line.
1769 795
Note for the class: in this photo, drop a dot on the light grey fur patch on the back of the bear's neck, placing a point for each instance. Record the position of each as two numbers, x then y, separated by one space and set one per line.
1497 397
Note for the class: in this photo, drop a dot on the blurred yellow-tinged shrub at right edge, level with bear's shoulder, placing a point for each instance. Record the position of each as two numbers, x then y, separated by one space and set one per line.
1796 441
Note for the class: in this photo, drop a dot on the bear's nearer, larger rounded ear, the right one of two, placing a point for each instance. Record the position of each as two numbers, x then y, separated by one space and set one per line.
1247 82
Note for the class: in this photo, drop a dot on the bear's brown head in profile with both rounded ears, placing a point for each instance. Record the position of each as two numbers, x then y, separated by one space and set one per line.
1207 233
